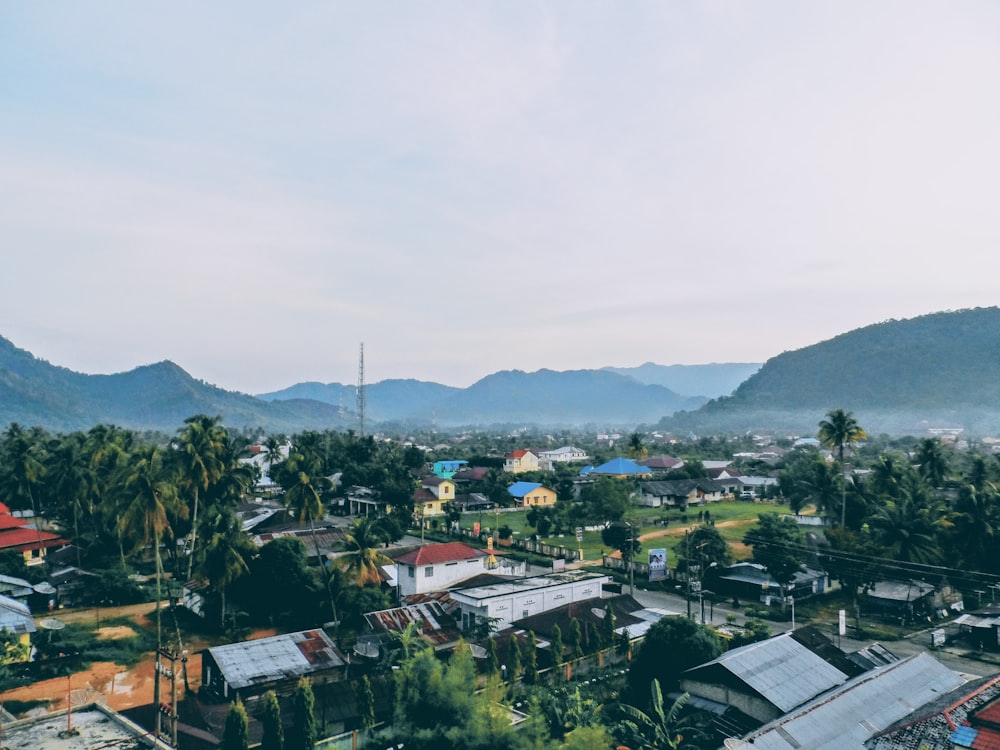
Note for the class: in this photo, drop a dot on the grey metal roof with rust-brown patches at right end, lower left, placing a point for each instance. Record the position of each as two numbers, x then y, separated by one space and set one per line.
276 658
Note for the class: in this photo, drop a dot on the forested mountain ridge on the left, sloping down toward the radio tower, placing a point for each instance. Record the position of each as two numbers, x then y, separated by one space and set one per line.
153 397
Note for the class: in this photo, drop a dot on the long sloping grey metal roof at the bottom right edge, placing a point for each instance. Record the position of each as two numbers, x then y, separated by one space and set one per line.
848 716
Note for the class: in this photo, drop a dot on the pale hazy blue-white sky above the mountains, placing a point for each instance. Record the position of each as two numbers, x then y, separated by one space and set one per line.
251 190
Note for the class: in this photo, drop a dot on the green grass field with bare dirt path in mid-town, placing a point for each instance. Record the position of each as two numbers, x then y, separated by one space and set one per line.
732 520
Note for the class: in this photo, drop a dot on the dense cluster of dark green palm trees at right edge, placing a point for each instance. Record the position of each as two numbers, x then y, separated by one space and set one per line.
917 503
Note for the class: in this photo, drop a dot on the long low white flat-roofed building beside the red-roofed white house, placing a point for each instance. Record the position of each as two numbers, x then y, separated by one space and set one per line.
523 597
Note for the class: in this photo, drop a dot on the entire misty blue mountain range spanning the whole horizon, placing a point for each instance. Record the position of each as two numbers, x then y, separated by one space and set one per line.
898 376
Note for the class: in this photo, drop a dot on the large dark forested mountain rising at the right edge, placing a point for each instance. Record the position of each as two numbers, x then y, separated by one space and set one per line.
898 376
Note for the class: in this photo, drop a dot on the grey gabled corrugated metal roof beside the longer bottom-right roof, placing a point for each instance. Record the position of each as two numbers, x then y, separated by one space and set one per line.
780 669
